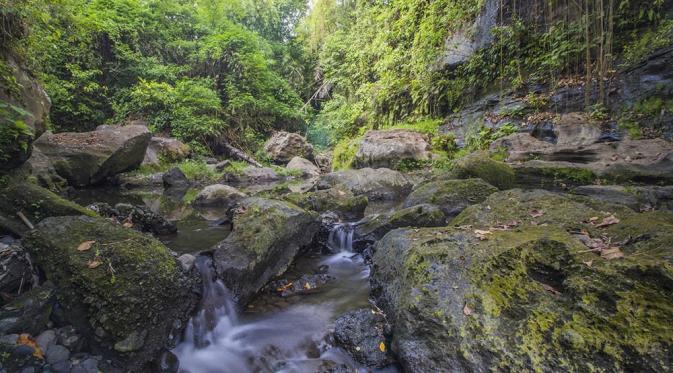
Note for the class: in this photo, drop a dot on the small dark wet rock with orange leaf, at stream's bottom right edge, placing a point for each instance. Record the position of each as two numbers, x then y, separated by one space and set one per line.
362 333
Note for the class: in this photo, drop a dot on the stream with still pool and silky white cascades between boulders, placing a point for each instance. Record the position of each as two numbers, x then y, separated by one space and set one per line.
273 333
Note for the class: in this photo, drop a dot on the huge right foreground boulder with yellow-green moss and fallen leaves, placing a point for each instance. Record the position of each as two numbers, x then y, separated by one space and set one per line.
530 297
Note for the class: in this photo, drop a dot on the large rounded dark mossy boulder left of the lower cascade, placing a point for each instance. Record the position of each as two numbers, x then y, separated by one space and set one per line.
126 292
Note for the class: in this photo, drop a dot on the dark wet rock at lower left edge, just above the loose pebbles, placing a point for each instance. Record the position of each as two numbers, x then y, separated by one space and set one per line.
28 313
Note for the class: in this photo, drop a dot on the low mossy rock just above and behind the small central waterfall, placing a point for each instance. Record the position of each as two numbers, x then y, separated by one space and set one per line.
341 201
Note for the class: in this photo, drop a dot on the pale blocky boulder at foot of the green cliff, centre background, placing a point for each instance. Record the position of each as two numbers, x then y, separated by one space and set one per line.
391 149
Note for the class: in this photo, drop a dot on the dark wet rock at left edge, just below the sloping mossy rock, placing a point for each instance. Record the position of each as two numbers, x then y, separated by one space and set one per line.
18 274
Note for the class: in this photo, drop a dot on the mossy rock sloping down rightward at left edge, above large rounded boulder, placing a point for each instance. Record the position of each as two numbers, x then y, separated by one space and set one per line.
36 203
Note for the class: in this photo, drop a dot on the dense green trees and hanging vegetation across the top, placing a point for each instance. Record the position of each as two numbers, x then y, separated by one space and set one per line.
238 69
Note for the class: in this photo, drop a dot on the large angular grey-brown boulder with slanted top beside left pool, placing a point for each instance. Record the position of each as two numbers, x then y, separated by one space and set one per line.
87 158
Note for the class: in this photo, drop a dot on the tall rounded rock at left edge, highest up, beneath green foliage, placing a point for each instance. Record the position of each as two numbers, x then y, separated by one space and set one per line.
27 95
